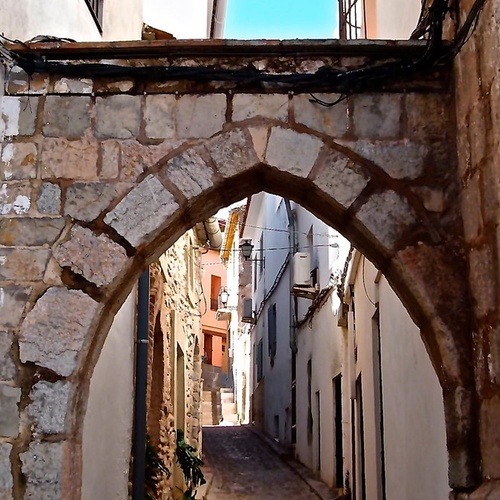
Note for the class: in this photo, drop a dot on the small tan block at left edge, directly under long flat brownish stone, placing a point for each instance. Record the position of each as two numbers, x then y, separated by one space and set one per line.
23 264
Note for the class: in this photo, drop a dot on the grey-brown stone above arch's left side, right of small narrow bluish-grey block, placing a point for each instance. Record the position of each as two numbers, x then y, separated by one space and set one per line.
86 200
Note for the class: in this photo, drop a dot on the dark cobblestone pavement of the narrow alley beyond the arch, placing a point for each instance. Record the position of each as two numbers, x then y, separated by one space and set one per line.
241 465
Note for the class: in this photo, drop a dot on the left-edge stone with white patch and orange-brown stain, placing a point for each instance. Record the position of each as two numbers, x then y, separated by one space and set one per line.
18 161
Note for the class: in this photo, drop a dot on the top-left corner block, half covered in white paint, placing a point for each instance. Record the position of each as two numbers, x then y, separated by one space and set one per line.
18 115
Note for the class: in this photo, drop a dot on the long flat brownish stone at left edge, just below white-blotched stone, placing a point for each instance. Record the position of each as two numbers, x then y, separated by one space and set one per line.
30 231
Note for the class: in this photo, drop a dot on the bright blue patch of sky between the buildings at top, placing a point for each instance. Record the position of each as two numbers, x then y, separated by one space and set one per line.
280 19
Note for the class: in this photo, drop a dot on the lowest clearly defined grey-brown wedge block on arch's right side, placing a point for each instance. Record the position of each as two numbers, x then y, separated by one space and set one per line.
387 216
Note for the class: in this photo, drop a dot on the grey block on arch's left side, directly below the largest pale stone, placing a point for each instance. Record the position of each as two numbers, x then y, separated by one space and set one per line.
49 406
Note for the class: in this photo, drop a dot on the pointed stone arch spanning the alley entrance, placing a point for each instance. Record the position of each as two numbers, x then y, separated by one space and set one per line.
353 188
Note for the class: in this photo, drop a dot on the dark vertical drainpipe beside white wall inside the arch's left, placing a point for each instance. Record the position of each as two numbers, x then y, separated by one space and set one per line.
141 370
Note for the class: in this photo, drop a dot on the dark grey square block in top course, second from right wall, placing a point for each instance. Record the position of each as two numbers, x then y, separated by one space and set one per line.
377 116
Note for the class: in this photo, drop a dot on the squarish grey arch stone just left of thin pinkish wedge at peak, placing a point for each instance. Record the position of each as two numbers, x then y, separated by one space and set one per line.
232 153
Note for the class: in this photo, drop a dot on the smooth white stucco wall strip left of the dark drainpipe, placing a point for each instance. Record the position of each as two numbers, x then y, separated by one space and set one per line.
107 428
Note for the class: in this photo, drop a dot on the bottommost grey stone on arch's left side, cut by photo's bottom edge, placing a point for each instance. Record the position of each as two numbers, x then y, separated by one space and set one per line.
42 466
